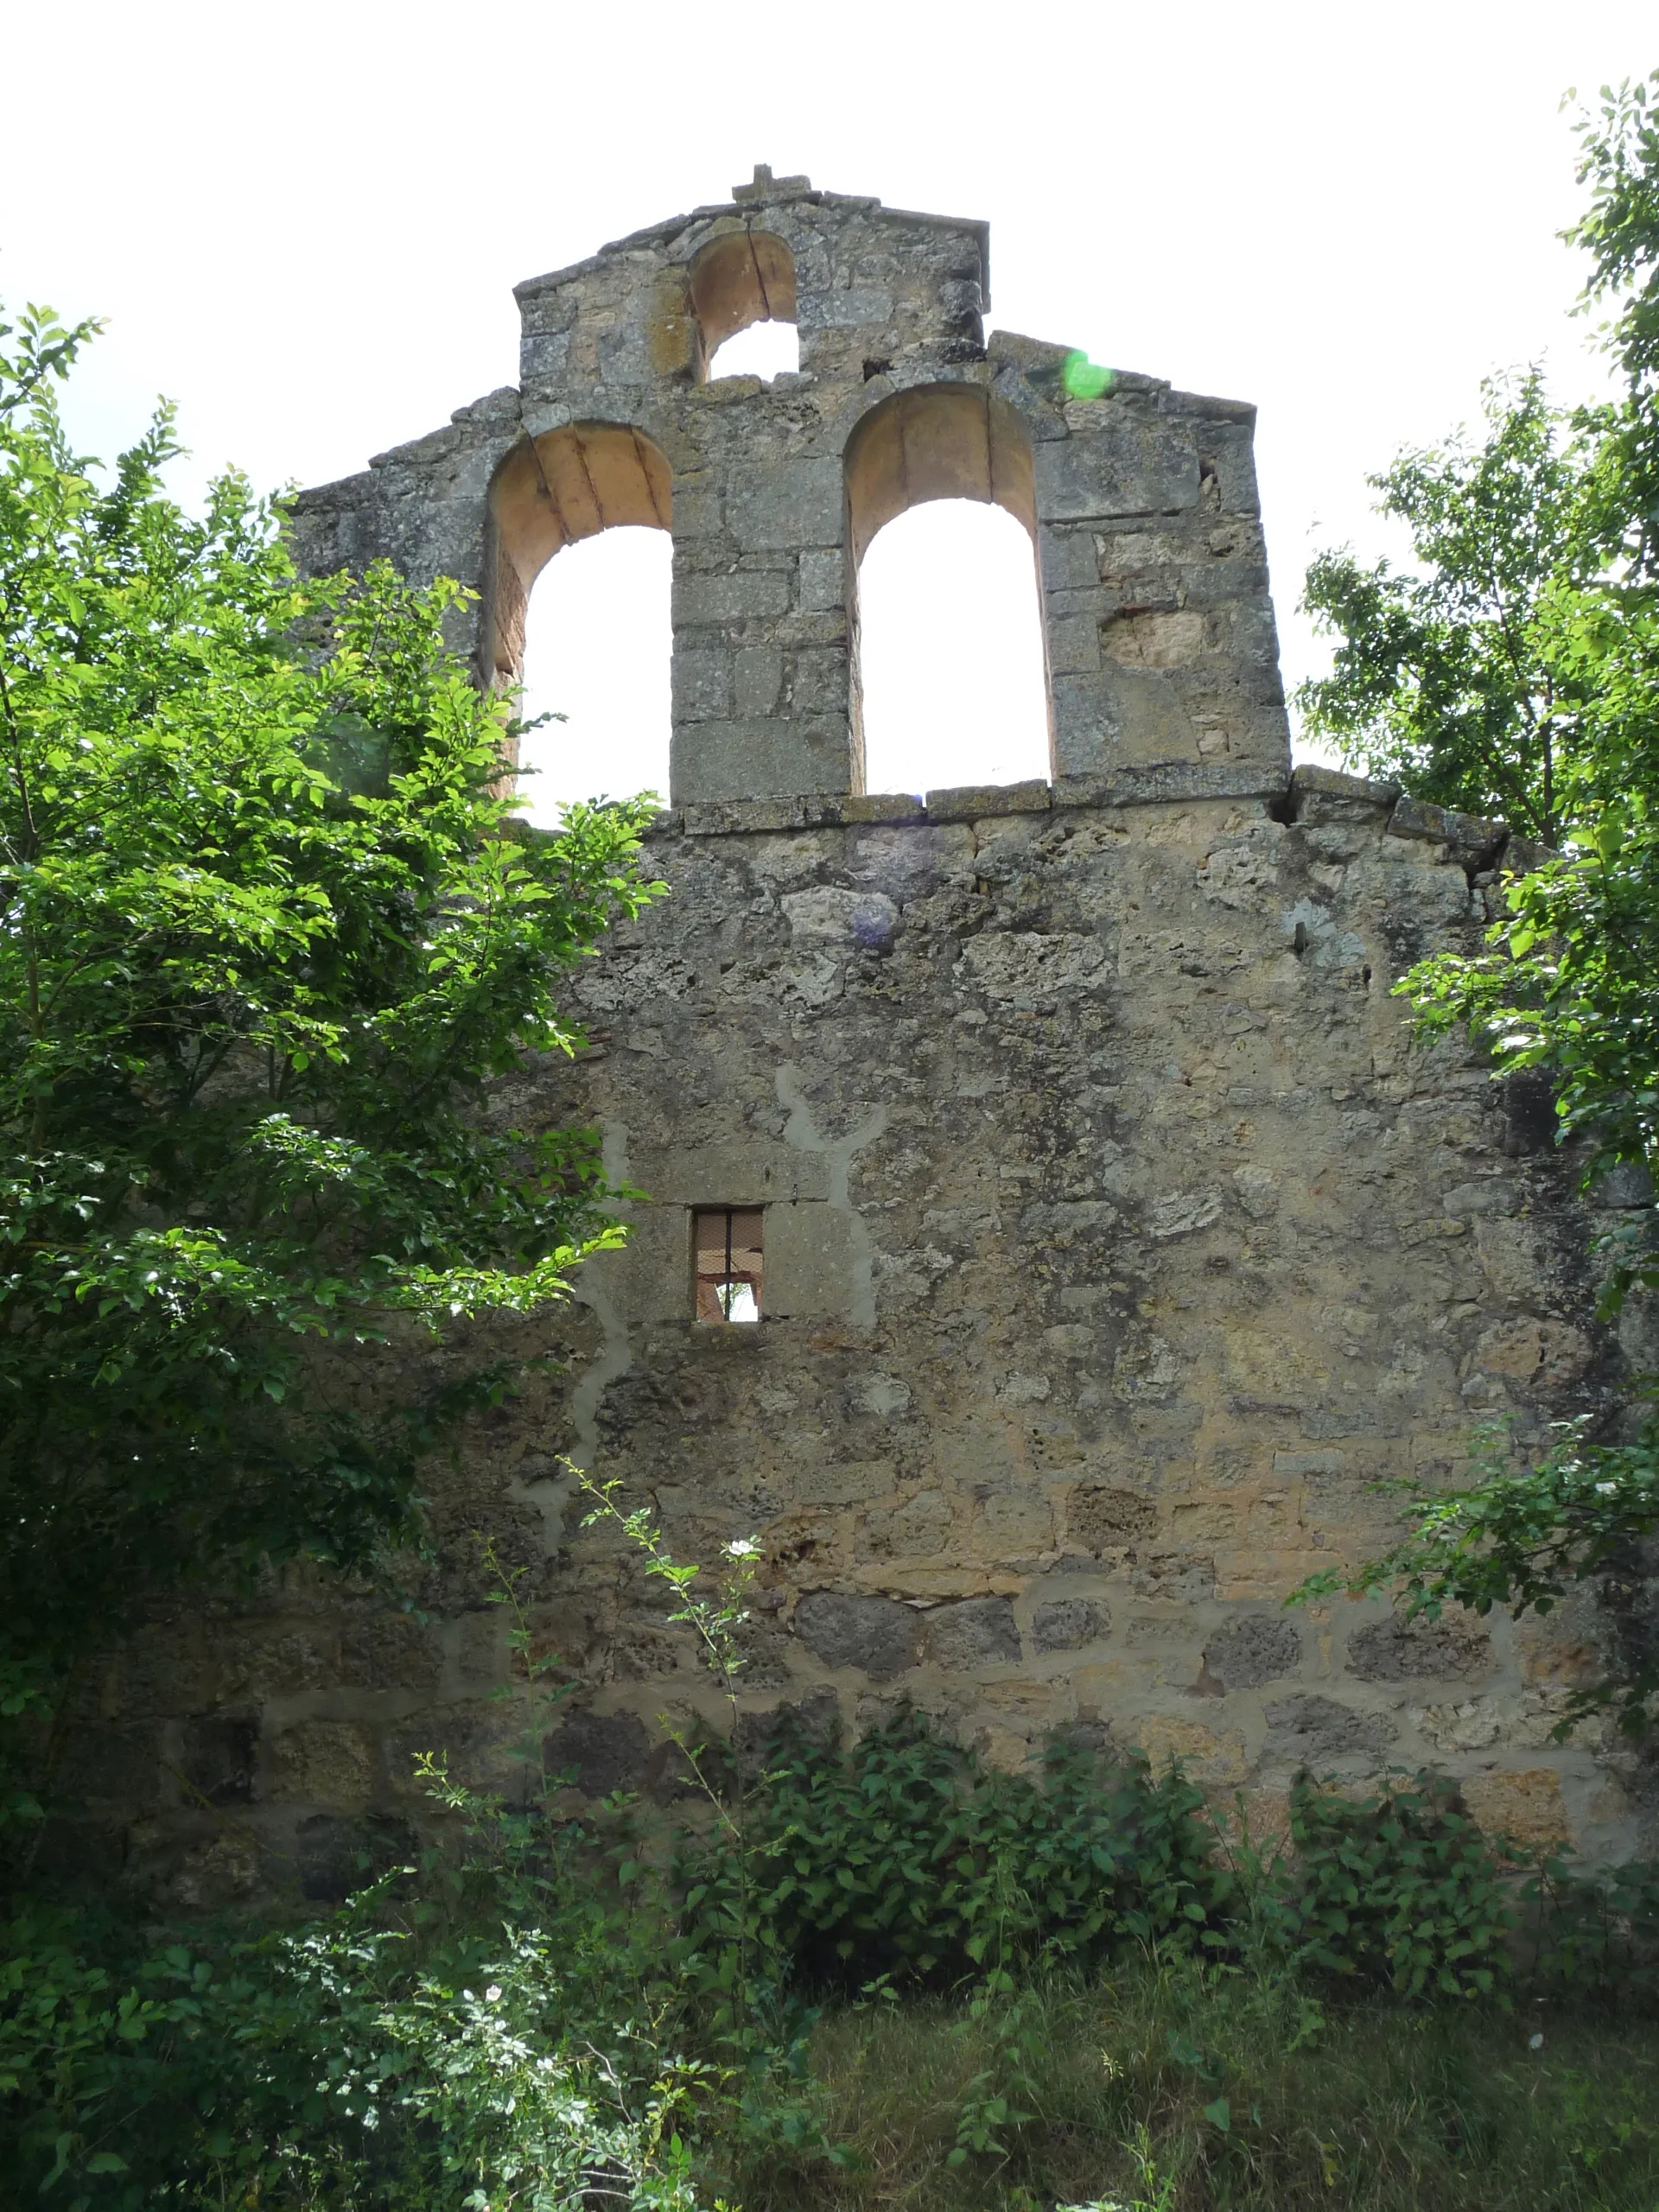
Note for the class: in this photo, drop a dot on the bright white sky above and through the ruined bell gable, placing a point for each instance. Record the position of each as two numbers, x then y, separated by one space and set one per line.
304 227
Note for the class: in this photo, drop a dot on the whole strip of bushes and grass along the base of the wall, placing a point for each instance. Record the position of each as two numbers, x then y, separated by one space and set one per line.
545 2012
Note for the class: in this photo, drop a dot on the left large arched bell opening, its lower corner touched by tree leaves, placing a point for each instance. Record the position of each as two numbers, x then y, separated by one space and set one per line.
587 512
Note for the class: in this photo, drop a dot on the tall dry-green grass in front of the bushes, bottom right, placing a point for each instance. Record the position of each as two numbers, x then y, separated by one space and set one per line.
1244 2094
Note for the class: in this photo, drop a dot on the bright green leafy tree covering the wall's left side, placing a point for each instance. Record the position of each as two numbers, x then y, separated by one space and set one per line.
269 935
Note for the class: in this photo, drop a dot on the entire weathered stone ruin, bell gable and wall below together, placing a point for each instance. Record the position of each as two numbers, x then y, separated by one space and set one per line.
1116 1235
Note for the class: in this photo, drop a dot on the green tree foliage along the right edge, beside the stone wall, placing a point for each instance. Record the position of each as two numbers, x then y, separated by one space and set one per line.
1569 979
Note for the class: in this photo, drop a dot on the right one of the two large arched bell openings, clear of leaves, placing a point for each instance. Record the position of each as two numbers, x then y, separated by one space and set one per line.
950 678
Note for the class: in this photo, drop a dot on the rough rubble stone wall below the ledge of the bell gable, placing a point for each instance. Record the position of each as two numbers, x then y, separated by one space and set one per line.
1118 1242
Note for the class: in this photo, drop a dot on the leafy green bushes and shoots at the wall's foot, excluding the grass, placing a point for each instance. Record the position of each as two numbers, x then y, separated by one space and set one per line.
550 2012
